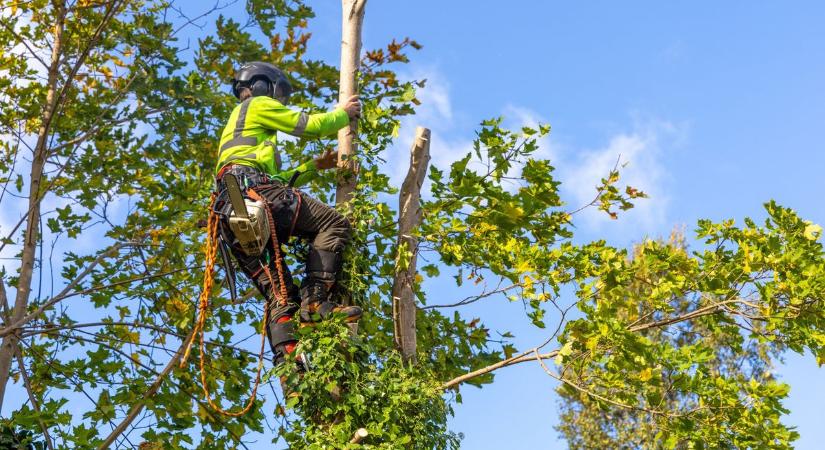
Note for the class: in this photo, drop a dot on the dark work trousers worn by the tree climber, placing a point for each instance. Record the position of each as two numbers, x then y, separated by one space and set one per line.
321 225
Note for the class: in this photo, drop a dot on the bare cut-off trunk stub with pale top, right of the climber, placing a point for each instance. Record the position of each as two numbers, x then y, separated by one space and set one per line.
409 218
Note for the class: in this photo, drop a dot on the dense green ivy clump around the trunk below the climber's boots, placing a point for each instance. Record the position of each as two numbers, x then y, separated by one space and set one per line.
352 385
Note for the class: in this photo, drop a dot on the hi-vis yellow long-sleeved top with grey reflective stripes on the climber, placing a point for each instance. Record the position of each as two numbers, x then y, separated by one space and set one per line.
249 136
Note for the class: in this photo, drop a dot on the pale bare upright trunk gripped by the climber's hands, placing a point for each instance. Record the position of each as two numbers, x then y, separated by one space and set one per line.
353 18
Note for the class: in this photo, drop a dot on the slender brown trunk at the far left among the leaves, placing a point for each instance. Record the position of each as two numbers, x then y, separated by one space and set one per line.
7 349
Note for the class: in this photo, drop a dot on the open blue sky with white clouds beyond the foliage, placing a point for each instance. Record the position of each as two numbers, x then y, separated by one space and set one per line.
716 107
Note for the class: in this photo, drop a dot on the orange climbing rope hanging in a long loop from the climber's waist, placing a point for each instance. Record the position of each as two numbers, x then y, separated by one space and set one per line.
211 251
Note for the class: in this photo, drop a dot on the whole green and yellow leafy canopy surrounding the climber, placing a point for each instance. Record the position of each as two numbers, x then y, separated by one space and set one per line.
109 126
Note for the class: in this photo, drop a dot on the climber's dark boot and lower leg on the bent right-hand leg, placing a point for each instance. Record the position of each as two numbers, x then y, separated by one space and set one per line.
322 267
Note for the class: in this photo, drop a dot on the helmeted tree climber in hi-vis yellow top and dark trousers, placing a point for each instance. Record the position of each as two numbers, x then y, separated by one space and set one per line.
249 163
